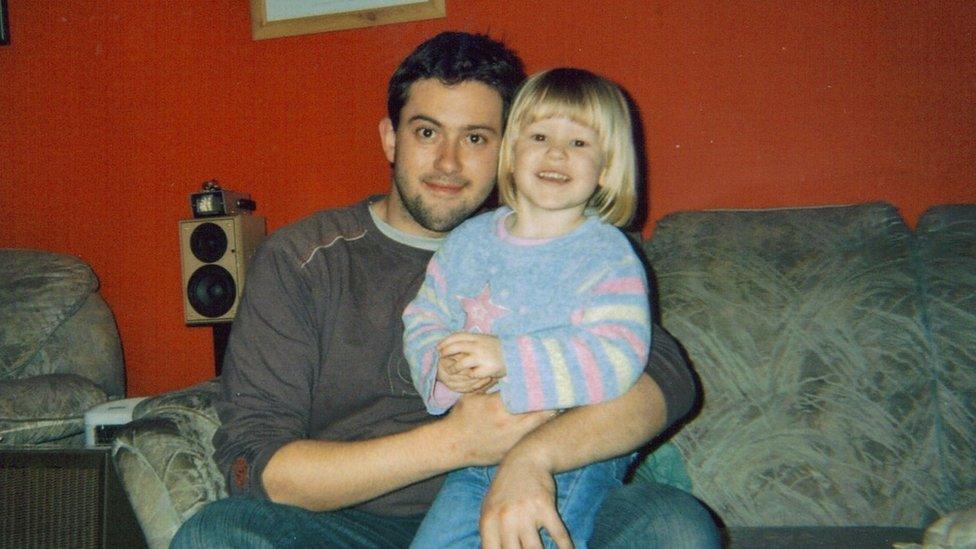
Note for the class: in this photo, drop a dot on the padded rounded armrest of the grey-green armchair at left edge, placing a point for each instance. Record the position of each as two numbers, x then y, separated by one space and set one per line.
44 409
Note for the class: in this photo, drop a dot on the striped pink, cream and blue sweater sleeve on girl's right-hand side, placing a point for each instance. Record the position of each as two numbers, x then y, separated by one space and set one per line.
596 356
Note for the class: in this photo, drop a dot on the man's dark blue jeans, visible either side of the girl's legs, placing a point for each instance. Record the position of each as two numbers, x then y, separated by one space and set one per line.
641 514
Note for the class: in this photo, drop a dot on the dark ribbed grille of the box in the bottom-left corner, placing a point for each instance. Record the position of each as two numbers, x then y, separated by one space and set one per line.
50 506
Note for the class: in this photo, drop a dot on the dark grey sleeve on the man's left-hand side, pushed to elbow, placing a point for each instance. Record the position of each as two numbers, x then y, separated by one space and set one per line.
268 366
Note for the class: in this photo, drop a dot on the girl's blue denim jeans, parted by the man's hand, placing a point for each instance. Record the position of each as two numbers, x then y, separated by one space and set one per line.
452 520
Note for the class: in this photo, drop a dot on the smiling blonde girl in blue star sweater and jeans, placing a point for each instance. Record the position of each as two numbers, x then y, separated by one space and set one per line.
543 299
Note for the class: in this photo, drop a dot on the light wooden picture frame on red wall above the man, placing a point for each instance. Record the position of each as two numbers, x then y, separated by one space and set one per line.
277 18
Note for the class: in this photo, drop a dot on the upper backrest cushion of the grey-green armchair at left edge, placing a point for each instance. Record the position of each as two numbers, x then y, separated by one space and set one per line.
38 292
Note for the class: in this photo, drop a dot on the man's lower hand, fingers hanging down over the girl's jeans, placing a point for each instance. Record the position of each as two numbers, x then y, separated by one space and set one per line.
521 500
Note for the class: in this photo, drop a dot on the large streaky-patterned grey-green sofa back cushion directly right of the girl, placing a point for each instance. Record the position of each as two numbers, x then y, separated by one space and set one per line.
803 326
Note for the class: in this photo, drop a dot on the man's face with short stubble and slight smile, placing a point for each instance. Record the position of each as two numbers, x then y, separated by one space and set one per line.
444 154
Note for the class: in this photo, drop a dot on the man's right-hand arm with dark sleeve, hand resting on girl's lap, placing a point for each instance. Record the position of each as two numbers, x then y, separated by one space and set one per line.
522 496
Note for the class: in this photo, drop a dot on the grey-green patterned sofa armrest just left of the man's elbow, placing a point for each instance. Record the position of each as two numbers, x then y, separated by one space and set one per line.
165 460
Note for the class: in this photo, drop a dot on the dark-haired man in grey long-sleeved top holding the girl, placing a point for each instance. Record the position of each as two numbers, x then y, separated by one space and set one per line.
322 429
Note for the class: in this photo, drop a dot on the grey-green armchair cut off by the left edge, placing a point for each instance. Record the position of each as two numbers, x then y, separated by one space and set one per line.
60 353
